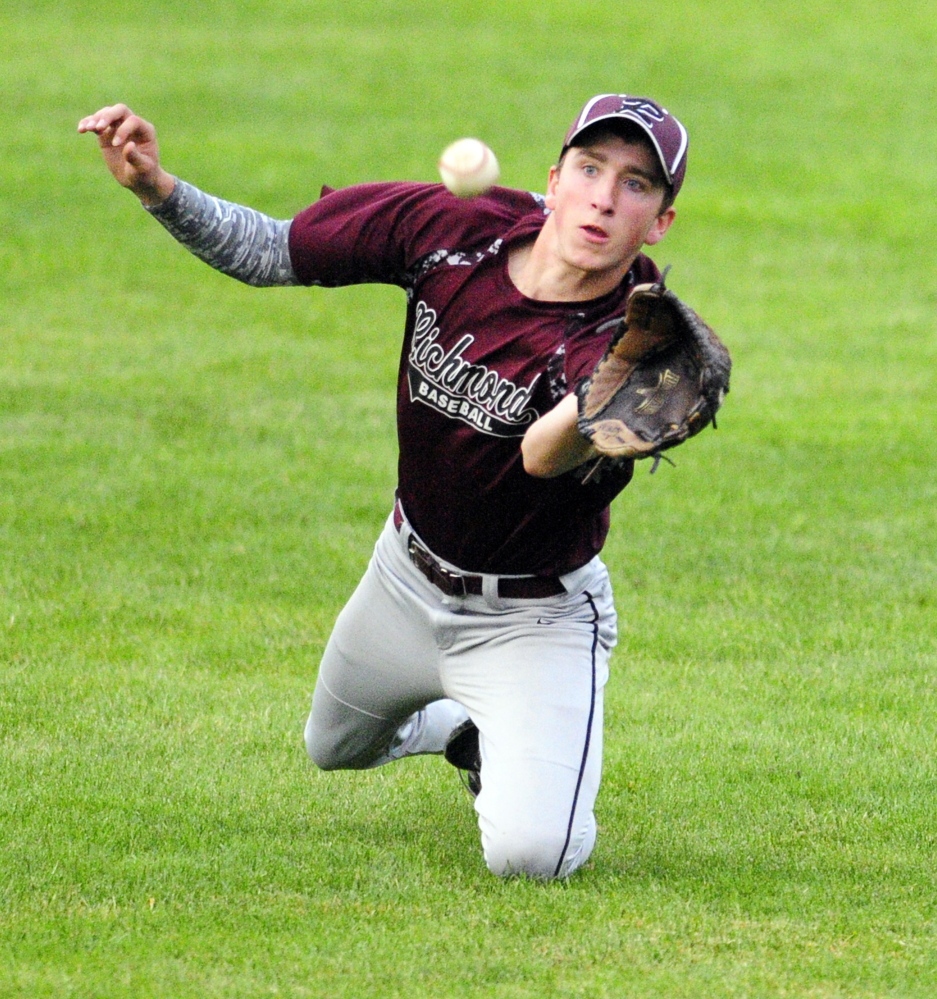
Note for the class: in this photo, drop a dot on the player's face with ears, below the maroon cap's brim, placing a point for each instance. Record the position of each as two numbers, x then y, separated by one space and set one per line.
606 206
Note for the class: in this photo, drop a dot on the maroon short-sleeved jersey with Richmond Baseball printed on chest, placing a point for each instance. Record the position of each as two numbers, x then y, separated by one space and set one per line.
480 363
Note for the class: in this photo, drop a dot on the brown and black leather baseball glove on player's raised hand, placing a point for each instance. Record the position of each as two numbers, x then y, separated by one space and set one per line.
663 377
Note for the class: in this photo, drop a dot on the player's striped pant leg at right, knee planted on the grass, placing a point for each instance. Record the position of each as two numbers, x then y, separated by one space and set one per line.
536 695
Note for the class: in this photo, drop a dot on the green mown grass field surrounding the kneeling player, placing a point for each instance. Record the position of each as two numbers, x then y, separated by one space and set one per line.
192 474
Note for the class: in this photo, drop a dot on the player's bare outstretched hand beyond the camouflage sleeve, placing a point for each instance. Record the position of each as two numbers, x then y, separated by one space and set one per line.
128 145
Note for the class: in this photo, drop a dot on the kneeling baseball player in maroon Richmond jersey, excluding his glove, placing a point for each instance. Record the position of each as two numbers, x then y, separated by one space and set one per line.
484 623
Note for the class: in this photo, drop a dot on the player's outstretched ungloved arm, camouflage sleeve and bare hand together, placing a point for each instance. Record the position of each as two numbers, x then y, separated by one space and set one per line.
235 240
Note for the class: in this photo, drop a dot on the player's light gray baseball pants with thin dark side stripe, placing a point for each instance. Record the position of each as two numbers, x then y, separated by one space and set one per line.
405 663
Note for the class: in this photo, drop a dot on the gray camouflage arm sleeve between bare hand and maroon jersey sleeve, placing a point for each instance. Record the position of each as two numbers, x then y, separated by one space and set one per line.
238 241
